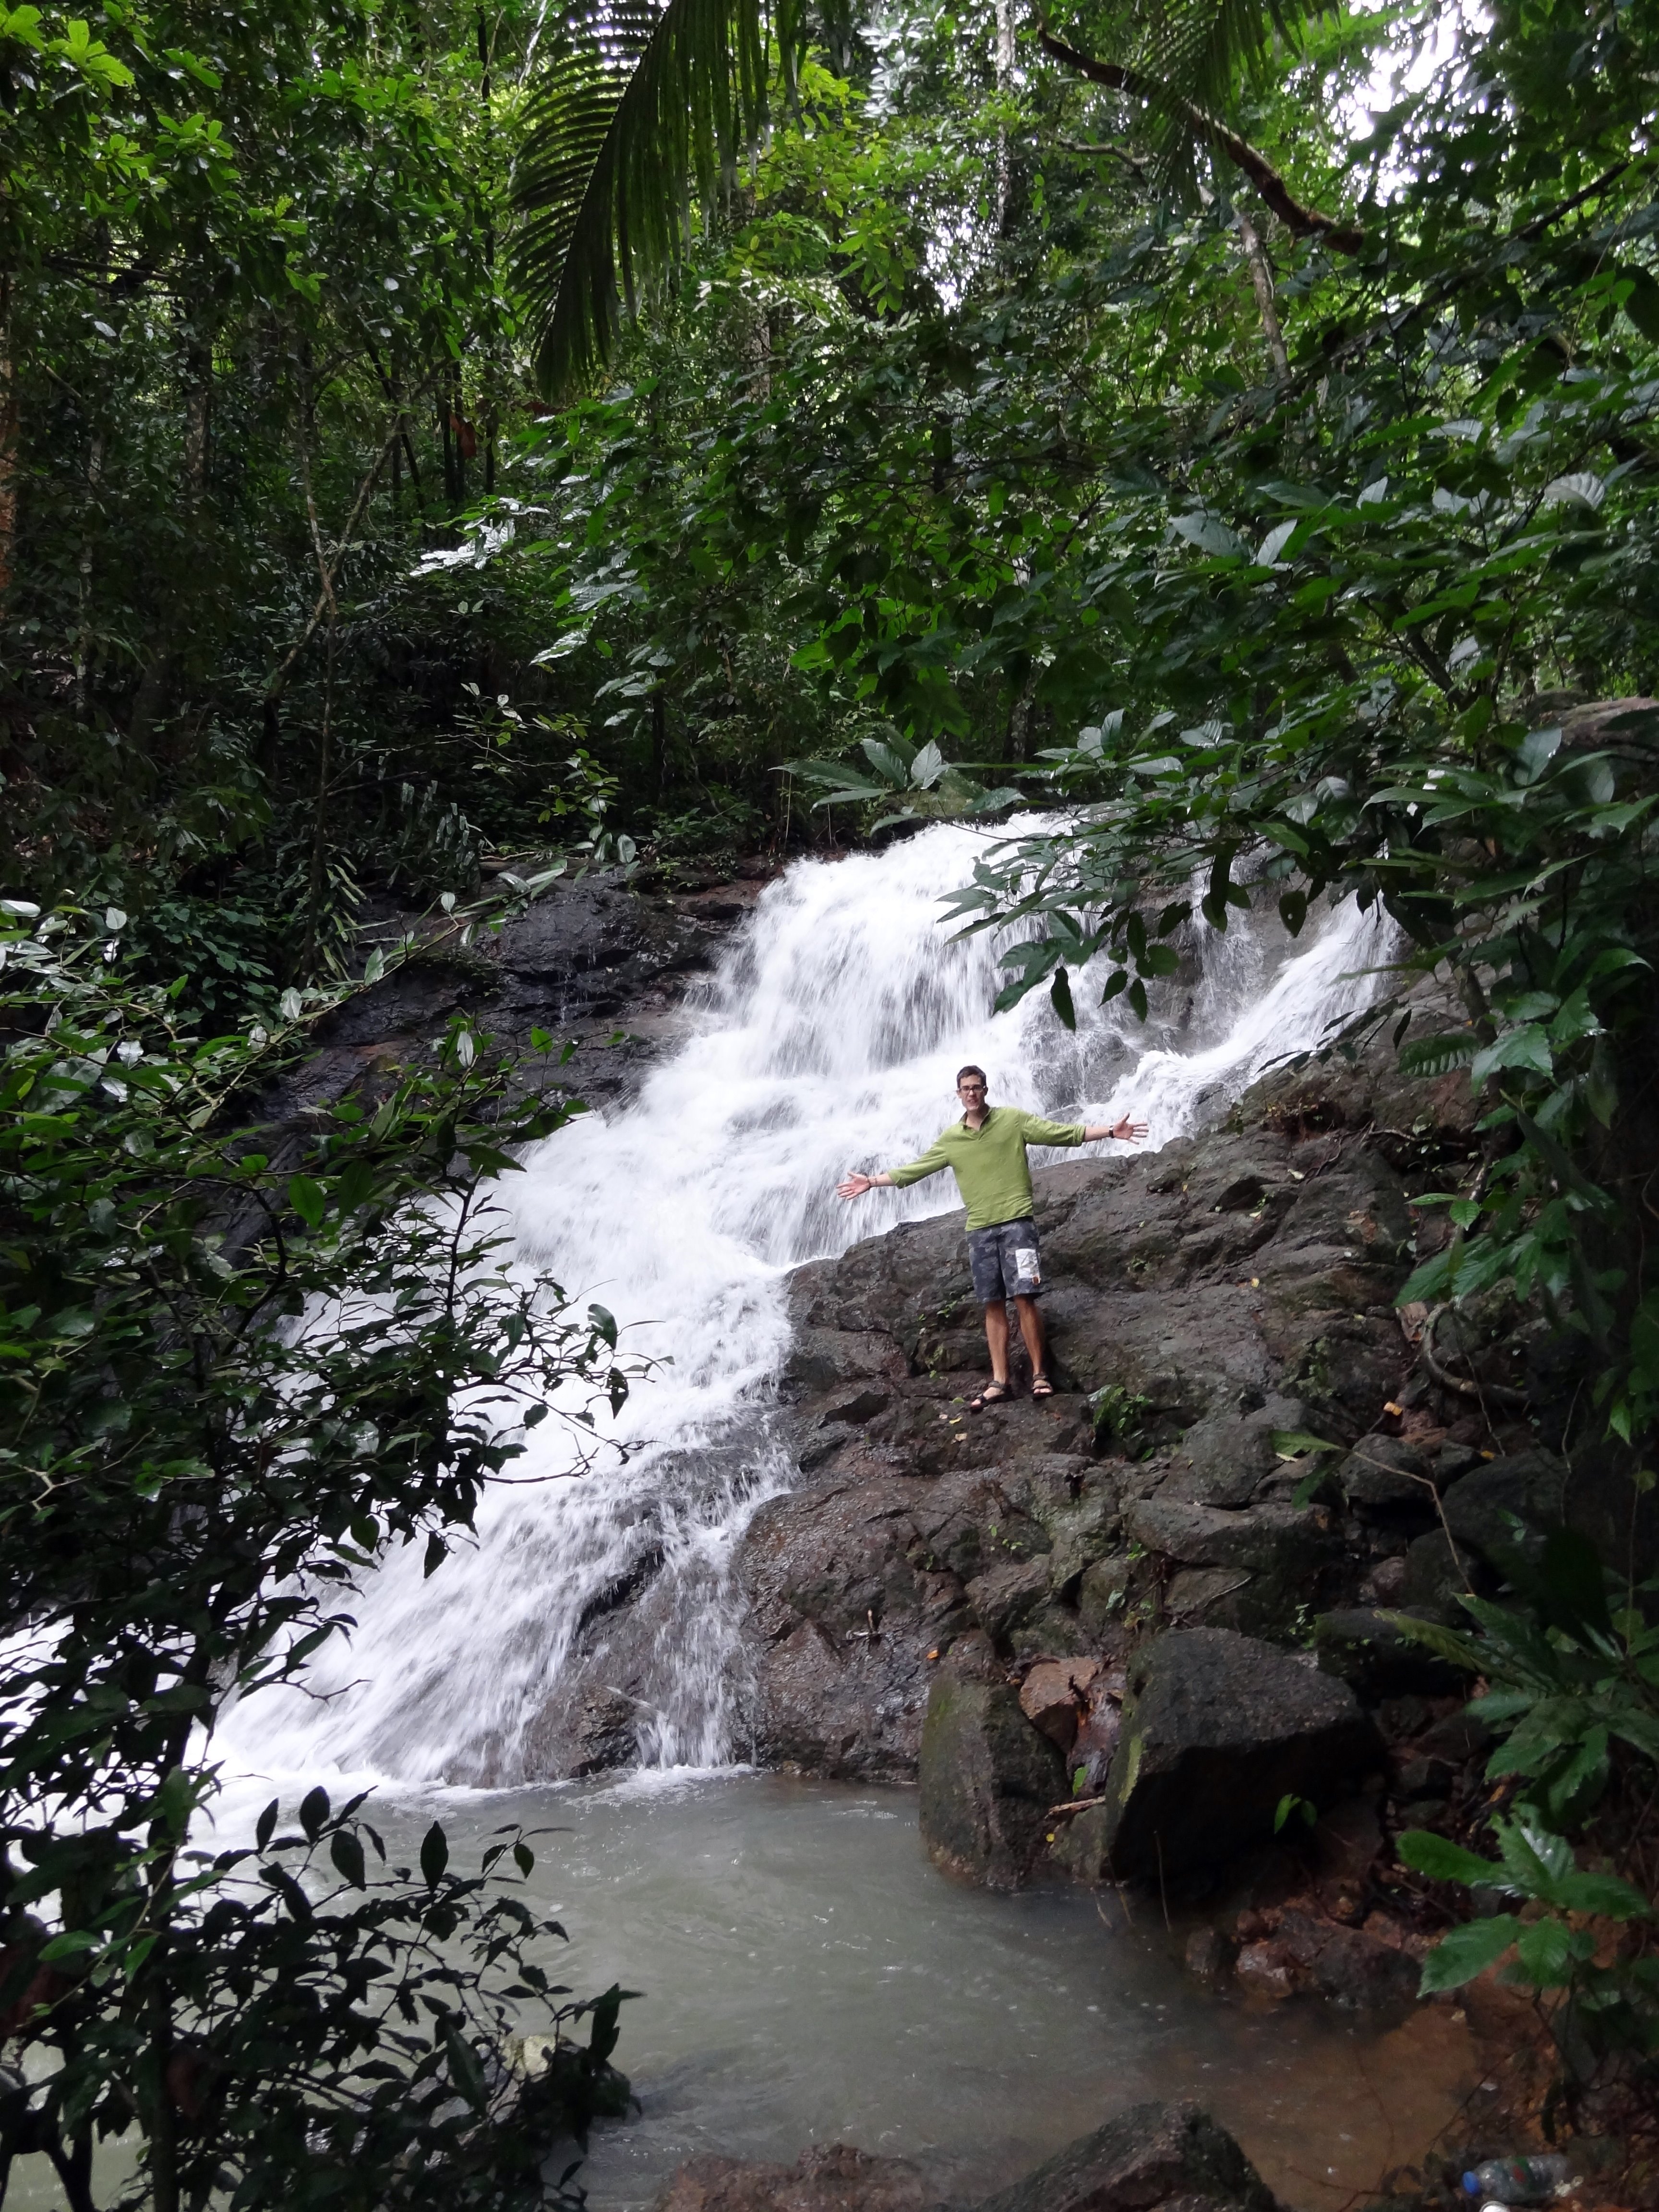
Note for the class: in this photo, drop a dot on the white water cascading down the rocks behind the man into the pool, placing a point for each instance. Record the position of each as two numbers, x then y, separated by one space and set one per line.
831 1041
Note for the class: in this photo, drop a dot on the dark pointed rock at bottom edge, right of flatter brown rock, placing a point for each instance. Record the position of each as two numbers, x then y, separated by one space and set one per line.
1151 2156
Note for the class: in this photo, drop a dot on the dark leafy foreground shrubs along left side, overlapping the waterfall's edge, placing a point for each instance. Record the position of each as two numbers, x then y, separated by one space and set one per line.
233 1370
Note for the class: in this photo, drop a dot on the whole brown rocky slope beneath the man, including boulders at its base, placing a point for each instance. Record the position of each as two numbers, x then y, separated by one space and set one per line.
1136 1629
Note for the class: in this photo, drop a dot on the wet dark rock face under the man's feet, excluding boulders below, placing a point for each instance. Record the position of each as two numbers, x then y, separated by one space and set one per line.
1202 1302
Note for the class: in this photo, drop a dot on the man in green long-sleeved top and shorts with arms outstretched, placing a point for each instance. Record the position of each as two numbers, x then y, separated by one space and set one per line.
988 1154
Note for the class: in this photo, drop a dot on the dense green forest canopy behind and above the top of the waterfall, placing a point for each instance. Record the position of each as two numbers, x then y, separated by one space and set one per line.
970 382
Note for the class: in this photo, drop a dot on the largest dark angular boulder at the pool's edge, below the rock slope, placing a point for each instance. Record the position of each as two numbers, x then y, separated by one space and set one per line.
1218 1731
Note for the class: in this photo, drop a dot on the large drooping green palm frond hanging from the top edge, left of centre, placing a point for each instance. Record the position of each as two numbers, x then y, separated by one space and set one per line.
632 107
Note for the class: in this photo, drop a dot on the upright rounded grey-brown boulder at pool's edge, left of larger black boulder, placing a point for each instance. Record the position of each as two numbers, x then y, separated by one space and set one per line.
988 1777
